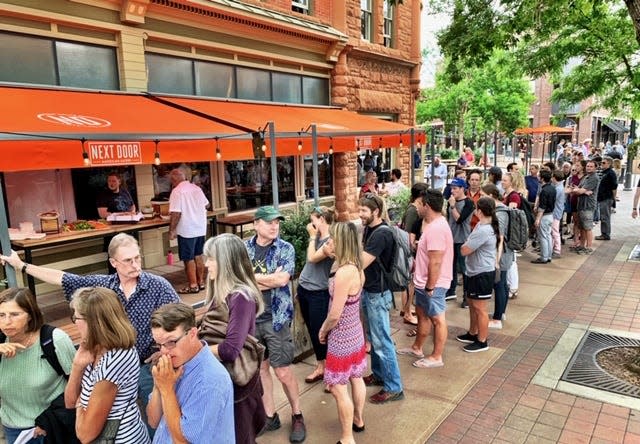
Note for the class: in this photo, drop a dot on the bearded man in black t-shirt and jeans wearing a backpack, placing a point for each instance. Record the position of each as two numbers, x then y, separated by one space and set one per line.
376 300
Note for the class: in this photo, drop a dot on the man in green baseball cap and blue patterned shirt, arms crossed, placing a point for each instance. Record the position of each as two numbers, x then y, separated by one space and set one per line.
273 262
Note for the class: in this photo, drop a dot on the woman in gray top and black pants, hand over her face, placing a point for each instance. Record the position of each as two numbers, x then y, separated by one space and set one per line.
313 284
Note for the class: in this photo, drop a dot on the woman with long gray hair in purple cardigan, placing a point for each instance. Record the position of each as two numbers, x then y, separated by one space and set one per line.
234 296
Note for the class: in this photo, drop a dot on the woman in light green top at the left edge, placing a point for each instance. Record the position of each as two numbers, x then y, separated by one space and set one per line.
28 383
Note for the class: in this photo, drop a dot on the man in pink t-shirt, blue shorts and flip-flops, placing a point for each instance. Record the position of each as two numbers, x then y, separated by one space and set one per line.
432 277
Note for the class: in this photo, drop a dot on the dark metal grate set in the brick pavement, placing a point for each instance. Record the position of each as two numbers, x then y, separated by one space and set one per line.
583 368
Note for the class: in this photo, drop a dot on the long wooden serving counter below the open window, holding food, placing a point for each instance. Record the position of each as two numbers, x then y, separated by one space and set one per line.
68 237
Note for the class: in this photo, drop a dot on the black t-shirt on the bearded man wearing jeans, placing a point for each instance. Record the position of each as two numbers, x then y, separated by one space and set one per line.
379 243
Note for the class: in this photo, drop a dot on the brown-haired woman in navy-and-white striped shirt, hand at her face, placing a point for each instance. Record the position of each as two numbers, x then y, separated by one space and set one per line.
103 384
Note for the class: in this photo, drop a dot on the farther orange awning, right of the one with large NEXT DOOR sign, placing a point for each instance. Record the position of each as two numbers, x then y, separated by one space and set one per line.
337 128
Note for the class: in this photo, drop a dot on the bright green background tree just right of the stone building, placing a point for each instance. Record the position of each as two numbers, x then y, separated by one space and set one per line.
494 96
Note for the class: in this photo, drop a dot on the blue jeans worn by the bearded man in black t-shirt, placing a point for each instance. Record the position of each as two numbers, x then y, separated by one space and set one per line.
384 362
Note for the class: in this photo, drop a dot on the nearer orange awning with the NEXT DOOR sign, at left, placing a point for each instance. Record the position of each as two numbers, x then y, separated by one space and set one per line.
42 128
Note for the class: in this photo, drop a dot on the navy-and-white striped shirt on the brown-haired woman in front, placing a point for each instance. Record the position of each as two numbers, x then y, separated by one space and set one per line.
122 368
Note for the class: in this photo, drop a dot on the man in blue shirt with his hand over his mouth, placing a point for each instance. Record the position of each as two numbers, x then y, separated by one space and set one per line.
192 398
